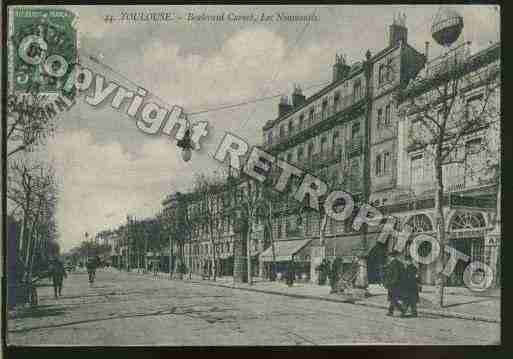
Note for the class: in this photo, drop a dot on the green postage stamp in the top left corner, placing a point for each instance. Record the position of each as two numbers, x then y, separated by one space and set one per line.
42 49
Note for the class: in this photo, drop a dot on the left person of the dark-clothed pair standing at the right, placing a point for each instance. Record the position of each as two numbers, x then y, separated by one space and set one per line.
393 283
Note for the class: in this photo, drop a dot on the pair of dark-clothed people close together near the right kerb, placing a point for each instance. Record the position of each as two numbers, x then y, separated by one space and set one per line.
403 284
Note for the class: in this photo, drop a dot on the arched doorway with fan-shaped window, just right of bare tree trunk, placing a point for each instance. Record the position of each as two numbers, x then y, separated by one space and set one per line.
465 236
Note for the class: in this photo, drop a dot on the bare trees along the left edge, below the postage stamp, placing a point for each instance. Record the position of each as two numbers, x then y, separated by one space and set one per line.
32 189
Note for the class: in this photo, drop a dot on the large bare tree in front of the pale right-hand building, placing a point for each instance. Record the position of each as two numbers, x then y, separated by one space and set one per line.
444 115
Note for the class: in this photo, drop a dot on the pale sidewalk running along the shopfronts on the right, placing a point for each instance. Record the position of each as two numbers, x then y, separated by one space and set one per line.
459 302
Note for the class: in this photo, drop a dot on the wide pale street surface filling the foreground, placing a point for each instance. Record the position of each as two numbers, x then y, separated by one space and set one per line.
130 309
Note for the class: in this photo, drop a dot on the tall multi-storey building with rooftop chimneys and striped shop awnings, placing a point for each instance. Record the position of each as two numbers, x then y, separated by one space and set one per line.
346 134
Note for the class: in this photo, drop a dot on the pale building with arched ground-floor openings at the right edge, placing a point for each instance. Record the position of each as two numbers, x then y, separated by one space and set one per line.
470 176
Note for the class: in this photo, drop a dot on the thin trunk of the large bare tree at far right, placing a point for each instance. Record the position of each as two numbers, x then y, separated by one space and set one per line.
440 226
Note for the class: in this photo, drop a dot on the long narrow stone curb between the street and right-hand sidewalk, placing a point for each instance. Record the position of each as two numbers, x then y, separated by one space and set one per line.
374 305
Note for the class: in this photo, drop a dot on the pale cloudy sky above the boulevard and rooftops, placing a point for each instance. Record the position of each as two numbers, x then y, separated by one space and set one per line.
107 168
